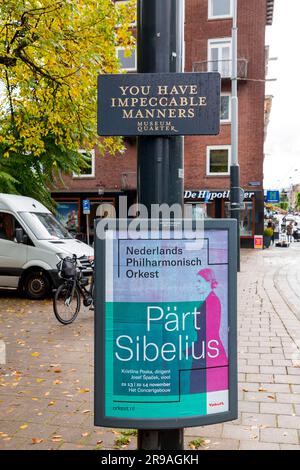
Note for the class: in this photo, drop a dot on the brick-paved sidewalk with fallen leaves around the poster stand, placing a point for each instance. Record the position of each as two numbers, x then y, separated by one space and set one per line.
46 387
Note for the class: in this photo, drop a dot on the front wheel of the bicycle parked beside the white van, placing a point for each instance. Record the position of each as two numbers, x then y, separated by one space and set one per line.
66 306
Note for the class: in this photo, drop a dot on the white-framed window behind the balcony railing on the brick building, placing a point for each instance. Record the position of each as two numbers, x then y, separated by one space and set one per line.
219 56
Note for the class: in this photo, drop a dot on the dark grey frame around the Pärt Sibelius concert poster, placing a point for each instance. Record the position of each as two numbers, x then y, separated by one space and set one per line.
100 419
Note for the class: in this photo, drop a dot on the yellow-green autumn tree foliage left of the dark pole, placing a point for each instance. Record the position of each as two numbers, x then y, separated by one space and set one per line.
51 52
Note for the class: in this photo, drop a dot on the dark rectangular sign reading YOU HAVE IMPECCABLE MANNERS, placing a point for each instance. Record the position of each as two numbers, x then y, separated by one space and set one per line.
159 104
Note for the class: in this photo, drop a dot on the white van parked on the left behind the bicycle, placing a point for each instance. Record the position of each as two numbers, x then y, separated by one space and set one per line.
32 242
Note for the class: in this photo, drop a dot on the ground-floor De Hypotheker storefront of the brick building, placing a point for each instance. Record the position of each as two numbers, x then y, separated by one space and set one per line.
215 204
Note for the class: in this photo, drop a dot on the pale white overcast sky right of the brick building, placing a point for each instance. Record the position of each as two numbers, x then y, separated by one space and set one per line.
282 147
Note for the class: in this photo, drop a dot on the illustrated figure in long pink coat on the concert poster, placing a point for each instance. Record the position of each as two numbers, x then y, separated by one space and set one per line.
210 372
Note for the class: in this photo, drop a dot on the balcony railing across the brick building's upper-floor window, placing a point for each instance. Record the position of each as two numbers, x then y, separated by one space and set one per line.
223 67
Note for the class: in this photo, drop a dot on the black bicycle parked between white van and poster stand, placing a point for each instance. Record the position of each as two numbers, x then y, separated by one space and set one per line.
67 298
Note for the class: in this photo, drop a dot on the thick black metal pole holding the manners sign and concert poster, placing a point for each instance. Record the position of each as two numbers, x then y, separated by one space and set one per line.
160 42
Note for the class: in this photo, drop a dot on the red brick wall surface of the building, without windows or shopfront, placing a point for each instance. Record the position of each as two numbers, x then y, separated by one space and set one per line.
251 35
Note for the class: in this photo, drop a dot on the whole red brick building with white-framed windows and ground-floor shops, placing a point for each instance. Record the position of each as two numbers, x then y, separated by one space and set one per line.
208 26
